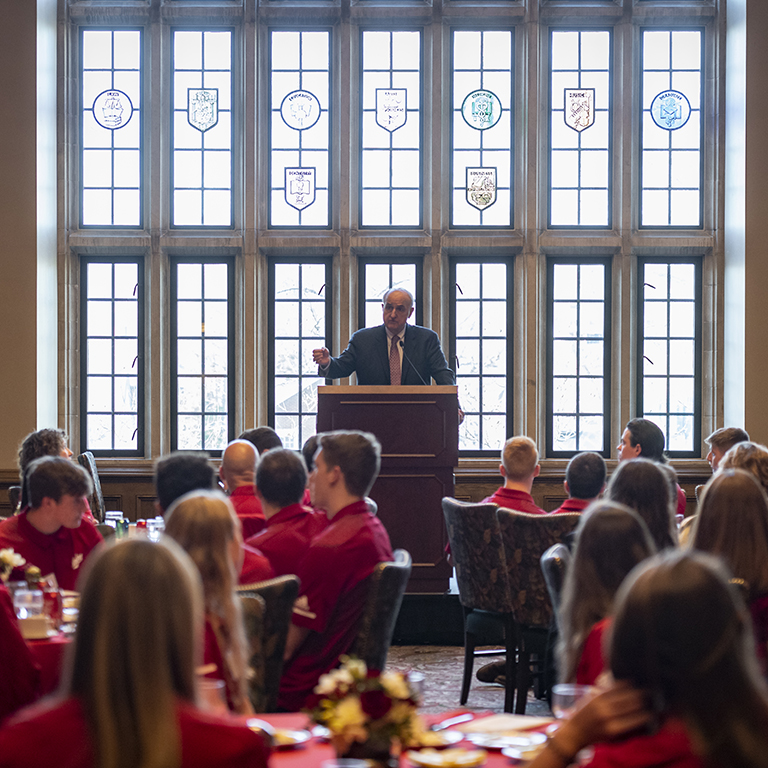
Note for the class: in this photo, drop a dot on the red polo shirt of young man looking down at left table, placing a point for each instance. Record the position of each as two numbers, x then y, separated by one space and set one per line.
61 553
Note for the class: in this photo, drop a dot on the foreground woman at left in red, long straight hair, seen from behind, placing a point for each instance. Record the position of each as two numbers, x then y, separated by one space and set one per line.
129 699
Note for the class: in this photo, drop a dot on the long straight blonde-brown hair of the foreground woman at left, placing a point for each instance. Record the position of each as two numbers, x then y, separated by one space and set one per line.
135 651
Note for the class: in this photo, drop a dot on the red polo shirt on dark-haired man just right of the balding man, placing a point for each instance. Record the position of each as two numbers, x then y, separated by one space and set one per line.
286 538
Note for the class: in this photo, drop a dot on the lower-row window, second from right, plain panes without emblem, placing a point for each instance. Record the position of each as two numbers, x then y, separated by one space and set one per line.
578 384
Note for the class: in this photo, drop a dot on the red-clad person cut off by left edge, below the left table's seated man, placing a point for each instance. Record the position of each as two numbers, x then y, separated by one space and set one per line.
19 674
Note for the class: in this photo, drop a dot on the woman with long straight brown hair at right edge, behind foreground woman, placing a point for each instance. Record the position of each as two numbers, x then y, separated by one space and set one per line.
733 523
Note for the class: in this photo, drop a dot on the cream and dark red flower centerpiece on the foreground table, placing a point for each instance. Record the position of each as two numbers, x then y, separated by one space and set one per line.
366 711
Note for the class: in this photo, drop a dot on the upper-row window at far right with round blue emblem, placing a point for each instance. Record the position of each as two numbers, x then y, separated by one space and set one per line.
671 147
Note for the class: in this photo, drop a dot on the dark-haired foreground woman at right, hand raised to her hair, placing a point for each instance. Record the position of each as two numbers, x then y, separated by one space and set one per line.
688 693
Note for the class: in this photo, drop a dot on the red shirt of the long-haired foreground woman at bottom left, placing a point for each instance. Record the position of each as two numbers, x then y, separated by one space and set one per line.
207 740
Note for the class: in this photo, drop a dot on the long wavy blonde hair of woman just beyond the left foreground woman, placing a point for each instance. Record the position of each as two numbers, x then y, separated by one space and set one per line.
204 524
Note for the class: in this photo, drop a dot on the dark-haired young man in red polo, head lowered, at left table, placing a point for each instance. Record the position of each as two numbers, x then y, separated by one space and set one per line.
53 533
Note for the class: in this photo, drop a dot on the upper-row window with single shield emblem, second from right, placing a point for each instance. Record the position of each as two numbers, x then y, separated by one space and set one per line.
580 146
